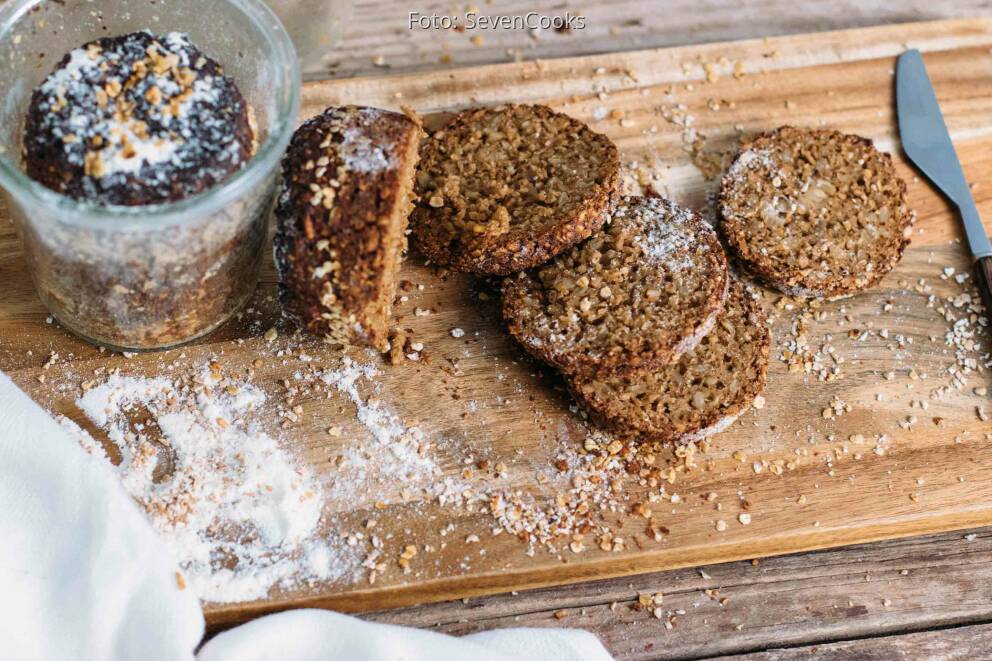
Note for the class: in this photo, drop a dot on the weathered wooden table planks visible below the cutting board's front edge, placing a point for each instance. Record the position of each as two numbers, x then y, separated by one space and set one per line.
794 606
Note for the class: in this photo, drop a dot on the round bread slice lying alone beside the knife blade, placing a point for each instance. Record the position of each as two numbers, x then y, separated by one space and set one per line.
815 212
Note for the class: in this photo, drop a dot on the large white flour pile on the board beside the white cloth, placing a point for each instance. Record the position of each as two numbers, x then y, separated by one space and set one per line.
237 511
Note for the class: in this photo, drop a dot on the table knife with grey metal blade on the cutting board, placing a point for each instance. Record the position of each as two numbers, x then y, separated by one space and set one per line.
928 144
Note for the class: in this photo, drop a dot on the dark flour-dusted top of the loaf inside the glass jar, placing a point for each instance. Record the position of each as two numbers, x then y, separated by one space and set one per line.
136 119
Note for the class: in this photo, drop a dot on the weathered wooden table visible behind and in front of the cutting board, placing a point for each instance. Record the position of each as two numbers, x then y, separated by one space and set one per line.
914 598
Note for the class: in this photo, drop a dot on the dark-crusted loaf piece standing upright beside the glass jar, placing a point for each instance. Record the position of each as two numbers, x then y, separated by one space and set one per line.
342 216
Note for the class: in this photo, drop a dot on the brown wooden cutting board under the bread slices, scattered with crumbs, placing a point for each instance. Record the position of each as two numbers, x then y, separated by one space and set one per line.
809 481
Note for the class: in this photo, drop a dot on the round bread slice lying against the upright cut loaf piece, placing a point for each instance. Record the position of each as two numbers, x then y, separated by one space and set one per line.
508 188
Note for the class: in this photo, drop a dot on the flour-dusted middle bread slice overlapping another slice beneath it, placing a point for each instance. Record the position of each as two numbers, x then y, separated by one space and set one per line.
635 296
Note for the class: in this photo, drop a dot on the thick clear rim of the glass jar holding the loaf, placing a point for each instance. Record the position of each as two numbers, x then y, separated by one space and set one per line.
80 212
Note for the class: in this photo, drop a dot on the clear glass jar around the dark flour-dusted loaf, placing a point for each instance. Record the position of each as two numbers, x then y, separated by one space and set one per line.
153 276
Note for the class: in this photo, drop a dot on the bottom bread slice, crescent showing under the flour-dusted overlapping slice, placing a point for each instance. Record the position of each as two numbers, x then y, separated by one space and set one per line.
699 395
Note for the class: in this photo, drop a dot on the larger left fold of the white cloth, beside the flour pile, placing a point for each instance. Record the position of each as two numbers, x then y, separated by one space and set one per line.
84 576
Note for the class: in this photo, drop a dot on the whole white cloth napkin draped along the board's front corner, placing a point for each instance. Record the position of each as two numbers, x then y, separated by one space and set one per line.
84 576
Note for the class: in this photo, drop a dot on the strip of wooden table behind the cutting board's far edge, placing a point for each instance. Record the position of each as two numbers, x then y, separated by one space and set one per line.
377 38
